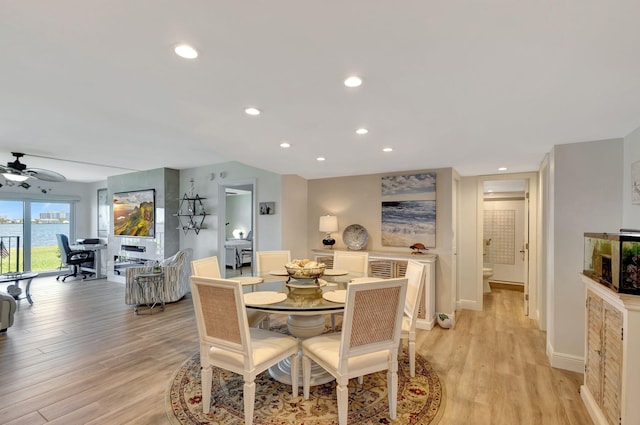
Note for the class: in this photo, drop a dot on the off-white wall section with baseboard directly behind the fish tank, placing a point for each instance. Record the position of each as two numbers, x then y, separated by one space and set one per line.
587 186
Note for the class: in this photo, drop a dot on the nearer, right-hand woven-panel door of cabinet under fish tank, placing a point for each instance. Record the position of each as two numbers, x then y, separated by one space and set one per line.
612 364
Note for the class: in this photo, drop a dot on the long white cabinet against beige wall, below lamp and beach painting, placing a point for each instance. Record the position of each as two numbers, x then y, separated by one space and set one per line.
389 265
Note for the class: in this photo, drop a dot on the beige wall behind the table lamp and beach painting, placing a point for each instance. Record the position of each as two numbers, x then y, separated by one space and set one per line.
357 200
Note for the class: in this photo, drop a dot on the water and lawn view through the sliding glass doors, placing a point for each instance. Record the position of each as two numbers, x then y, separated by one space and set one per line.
38 252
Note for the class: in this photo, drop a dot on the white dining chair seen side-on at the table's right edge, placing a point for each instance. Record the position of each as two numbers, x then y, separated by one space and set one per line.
415 283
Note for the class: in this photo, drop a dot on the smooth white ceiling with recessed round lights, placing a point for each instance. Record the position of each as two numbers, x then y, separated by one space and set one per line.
469 84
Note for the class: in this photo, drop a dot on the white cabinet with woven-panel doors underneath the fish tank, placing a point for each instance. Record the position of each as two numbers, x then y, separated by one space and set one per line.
612 356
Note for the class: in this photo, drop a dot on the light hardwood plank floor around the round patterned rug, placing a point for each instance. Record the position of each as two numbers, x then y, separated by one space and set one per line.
79 355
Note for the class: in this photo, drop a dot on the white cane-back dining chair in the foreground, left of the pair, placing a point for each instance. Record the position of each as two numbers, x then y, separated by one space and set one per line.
227 341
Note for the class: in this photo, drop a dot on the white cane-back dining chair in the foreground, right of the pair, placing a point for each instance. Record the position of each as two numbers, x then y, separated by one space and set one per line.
368 342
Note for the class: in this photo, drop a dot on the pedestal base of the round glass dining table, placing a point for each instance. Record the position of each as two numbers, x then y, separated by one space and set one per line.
302 327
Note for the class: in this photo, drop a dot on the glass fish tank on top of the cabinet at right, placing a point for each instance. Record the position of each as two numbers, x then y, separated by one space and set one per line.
613 259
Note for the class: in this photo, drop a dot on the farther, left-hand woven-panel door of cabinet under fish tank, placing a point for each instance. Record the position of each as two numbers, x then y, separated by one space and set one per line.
593 363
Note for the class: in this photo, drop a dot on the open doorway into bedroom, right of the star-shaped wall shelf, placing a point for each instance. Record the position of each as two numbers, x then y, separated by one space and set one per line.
238 224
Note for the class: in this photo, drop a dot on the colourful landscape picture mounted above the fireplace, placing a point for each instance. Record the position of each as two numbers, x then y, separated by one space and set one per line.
134 213
